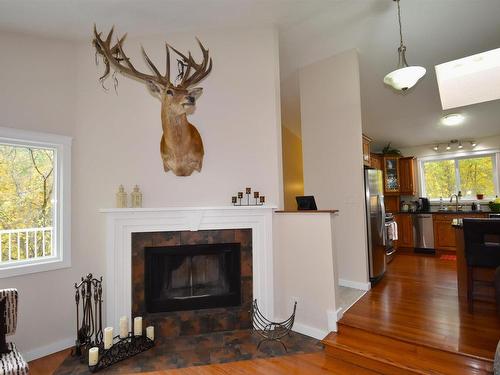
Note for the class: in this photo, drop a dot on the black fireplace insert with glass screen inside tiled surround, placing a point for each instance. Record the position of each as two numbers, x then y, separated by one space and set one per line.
192 277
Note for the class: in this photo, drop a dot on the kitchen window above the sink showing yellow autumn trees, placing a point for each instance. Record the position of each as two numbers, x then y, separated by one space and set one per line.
470 174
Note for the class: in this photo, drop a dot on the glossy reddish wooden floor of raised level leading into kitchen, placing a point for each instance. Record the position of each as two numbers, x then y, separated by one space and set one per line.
417 301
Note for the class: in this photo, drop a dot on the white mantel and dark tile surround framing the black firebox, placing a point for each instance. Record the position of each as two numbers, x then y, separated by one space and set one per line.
132 232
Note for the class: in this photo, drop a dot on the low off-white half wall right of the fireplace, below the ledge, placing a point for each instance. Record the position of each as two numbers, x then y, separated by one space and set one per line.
305 271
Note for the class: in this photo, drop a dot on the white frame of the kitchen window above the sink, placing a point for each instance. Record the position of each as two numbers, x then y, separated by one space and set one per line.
456 156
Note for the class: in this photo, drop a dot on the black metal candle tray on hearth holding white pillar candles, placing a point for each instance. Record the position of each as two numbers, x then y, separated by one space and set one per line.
122 349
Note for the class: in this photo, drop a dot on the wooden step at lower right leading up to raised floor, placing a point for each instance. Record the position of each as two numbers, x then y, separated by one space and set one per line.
394 357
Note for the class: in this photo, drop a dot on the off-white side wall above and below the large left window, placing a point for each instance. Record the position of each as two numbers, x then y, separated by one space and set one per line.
37 79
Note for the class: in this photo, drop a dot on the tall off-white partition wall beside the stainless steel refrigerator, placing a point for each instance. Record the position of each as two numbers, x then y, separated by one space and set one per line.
331 140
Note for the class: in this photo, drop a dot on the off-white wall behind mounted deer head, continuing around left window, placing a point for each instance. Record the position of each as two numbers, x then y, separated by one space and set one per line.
53 86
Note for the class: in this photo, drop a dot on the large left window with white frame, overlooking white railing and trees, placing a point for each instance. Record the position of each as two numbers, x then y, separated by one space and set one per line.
34 202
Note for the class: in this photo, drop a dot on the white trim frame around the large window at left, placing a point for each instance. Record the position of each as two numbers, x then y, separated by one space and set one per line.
62 183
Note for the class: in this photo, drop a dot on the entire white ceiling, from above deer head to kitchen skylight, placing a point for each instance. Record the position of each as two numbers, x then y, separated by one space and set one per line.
435 31
